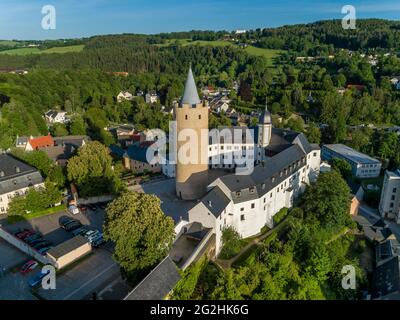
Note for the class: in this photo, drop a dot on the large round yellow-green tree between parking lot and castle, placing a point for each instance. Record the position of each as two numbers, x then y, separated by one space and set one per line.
142 233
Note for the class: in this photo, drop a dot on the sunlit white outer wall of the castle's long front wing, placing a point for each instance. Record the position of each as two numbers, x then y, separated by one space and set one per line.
249 217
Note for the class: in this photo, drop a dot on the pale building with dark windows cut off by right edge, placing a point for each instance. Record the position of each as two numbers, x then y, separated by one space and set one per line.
389 206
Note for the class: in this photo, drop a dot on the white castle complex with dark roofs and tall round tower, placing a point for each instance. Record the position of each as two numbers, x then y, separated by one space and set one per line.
284 163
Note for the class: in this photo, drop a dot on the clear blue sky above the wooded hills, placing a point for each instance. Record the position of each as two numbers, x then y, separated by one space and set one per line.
22 19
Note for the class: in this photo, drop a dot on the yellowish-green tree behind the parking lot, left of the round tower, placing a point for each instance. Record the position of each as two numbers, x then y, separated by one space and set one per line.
91 170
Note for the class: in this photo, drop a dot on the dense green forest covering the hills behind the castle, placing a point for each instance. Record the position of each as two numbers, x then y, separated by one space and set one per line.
80 82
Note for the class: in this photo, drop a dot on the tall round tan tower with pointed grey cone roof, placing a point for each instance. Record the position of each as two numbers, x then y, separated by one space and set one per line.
191 113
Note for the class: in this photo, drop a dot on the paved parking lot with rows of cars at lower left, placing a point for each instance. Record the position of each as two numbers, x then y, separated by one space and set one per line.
77 281
